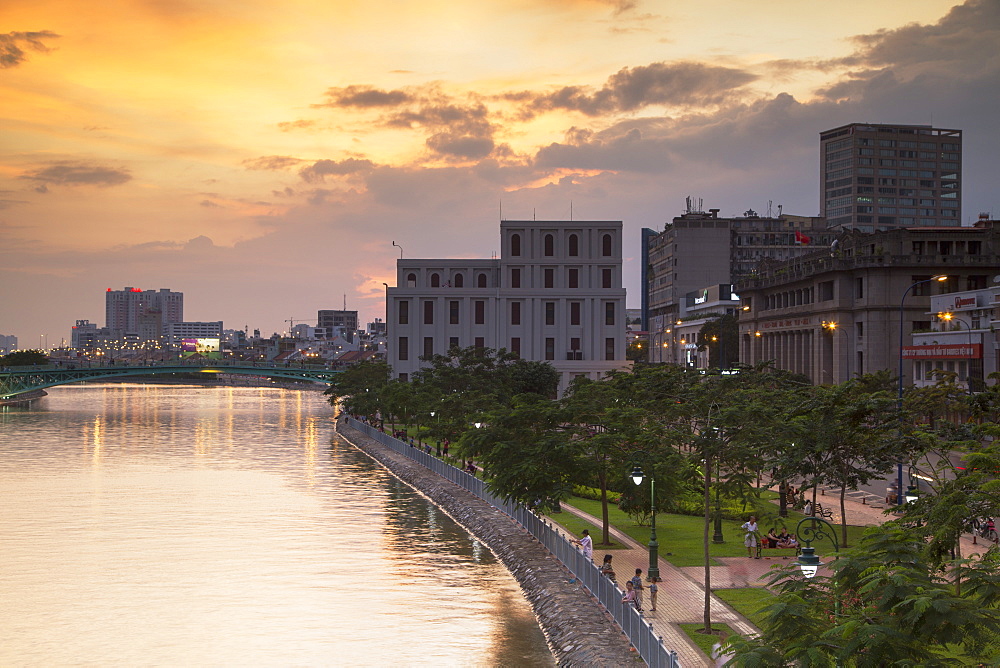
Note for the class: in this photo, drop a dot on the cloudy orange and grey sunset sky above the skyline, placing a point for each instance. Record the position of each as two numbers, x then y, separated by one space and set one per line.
261 157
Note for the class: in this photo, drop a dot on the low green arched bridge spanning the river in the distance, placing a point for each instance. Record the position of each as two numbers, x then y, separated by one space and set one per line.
16 381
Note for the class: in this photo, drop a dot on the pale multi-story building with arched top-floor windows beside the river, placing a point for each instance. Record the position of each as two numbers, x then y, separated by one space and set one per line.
555 295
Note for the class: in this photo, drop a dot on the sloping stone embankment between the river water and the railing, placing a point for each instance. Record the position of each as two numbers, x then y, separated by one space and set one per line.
577 629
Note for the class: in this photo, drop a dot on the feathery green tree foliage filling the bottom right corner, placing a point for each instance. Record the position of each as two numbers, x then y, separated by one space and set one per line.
895 609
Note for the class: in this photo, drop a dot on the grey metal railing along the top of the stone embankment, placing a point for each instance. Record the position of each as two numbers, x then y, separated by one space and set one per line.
639 631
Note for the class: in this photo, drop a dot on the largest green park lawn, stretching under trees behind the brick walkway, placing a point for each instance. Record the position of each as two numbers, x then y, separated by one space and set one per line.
680 536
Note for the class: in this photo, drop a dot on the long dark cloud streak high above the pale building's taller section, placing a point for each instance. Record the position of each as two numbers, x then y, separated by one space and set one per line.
634 88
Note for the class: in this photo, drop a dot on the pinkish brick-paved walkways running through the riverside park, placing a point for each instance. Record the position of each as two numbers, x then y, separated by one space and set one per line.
682 594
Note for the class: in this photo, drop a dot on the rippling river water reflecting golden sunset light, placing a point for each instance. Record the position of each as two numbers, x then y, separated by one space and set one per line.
167 525
